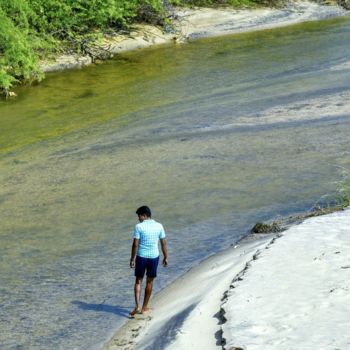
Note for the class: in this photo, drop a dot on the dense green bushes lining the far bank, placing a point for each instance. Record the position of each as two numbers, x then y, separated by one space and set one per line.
33 29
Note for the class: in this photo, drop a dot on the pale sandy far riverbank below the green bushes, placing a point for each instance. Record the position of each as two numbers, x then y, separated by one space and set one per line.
197 23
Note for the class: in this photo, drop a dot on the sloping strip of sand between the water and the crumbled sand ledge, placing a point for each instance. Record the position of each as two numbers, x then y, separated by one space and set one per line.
184 313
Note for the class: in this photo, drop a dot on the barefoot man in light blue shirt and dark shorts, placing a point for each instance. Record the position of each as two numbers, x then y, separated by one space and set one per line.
145 255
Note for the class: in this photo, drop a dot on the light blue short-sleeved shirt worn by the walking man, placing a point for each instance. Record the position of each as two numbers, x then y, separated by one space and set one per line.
148 232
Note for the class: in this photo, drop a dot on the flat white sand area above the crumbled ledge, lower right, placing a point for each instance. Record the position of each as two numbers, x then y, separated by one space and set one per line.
296 295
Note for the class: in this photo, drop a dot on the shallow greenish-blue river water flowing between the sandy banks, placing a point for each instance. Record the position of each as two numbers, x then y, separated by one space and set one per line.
214 135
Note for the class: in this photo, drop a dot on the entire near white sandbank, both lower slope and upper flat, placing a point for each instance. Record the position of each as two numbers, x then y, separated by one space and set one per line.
239 299
